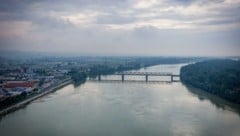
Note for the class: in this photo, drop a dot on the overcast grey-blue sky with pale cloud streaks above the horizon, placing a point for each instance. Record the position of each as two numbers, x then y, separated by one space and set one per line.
122 27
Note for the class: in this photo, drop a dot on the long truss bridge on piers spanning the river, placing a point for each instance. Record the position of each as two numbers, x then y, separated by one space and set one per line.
146 74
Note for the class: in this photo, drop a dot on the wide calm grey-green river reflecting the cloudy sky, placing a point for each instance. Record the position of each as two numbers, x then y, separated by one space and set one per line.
112 108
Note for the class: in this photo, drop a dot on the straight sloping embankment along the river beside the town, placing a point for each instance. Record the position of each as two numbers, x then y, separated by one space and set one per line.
44 92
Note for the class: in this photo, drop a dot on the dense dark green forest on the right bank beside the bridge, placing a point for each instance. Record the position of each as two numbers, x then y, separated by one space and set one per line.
219 77
